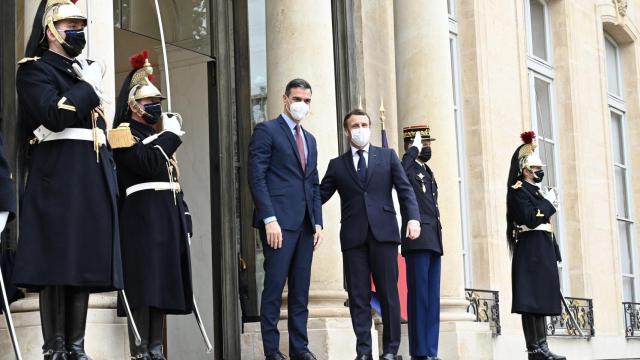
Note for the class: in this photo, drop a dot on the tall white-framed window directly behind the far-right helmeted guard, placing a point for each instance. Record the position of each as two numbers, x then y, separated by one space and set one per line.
541 90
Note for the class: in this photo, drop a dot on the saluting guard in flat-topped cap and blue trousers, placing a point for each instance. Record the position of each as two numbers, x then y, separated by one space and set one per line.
424 253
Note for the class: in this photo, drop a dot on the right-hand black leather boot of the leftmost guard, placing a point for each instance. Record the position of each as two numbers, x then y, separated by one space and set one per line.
77 305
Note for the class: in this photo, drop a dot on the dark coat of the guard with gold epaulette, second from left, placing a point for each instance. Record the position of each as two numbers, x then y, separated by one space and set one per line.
154 229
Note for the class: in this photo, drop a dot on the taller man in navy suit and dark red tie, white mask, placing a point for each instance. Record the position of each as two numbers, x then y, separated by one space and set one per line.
283 178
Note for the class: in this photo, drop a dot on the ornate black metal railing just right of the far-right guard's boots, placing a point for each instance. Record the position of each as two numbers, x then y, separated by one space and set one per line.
582 311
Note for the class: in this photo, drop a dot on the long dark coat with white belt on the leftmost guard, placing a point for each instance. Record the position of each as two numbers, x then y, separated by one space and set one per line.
68 233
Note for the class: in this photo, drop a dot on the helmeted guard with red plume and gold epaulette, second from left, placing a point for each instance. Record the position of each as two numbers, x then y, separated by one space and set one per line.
155 223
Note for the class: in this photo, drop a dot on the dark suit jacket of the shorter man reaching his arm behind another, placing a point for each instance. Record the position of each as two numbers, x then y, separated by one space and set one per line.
369 205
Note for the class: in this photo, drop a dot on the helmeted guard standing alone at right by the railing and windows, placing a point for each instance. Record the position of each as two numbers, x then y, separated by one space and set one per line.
535 282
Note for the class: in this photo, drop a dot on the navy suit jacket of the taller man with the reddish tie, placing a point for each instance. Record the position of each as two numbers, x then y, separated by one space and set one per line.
278 184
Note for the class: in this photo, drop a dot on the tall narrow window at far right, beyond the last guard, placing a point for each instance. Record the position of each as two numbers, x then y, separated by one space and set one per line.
624 216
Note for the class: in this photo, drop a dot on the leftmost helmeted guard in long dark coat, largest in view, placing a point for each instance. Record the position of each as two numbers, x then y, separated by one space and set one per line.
69 244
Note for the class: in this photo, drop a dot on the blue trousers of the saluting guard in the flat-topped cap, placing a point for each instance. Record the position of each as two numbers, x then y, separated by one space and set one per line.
423 301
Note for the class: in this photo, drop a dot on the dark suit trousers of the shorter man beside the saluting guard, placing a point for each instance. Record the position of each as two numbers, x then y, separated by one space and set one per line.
380 260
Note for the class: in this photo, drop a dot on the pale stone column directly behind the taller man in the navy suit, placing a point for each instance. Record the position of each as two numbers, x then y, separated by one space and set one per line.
300 45
